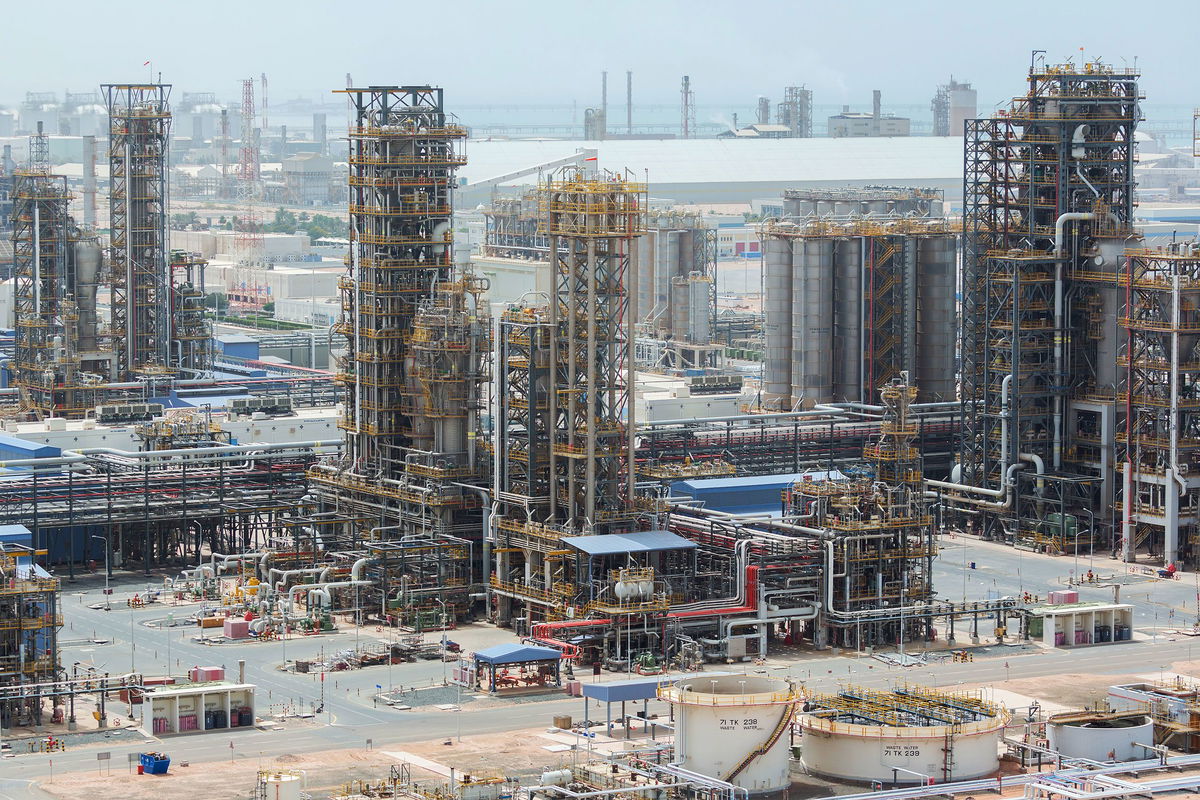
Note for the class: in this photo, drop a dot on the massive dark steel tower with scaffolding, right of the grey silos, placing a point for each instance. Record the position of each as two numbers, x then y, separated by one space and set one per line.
1048 190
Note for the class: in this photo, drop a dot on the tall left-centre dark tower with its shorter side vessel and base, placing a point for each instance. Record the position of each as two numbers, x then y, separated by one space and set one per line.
417 352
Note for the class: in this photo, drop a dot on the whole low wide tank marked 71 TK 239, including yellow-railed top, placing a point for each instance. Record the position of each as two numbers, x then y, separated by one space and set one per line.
905 736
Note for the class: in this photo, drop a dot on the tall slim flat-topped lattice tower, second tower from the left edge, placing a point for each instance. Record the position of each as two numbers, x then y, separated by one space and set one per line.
140 136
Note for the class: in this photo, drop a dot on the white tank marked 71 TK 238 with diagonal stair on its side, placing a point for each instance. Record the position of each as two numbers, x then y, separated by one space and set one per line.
735 729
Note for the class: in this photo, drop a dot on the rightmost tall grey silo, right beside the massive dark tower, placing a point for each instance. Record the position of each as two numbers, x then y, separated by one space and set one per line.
937 312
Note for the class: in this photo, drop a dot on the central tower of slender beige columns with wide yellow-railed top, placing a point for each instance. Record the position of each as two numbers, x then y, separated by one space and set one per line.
592 224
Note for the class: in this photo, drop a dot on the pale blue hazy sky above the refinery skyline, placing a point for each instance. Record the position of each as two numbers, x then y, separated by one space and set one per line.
547 52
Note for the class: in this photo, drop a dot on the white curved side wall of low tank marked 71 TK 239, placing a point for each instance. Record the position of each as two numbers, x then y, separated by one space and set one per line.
905 755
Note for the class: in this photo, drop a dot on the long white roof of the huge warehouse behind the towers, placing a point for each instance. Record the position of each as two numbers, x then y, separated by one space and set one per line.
707 161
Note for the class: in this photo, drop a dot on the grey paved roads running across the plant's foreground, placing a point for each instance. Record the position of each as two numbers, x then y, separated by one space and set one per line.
350 718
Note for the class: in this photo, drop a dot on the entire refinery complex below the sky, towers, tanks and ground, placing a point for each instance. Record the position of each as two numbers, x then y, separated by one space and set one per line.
839 453
